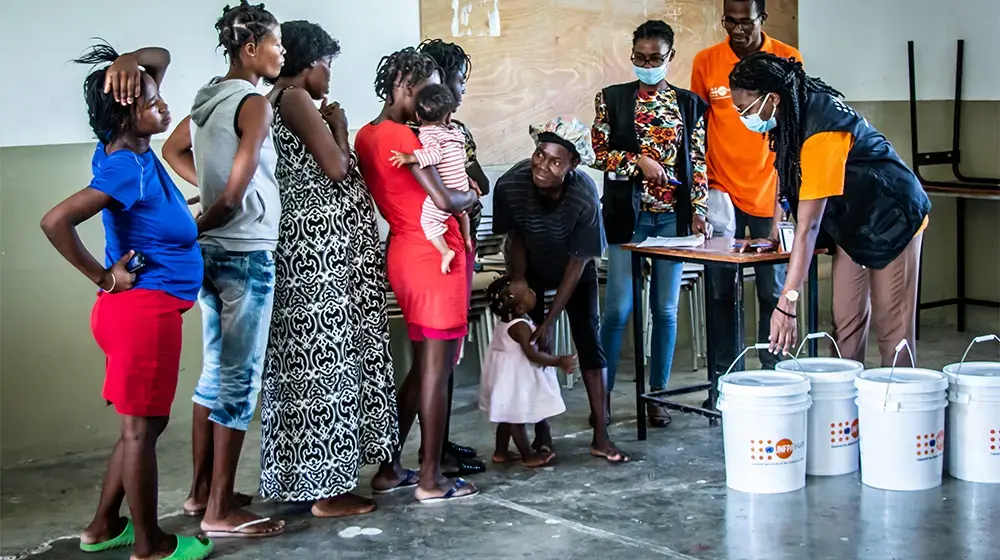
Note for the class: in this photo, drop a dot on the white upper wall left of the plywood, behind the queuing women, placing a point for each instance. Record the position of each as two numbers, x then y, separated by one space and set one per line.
41 102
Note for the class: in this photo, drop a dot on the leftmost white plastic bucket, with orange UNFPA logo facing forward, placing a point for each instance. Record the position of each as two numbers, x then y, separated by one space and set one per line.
764 428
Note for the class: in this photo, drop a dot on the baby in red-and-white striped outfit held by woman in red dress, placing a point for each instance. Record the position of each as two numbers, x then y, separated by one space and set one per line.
443 147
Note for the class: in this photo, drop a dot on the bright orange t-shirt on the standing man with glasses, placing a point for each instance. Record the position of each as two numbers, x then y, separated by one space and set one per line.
740 162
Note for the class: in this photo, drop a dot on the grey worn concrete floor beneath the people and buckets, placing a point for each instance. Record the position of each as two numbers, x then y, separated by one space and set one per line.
671 502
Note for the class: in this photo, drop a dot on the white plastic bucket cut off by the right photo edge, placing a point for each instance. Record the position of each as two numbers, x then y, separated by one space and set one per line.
973 449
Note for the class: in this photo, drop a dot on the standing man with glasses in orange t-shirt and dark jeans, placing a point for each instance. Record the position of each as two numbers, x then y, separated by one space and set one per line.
740 164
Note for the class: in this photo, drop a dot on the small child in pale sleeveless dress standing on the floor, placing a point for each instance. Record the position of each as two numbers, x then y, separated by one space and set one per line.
519 384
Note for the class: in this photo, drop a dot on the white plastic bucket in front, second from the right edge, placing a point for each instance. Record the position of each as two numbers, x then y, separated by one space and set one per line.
903 440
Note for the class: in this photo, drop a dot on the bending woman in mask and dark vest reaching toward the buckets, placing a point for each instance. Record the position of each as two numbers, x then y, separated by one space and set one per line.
844 181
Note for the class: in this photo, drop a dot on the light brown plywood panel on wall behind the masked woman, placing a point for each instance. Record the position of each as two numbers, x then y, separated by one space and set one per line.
535 59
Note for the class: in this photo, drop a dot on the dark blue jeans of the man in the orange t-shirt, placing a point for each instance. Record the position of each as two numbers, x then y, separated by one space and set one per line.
769 281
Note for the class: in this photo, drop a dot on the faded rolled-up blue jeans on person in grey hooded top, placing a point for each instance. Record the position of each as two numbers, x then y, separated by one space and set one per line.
236 298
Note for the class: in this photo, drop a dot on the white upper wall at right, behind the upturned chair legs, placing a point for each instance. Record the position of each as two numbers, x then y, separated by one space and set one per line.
859 46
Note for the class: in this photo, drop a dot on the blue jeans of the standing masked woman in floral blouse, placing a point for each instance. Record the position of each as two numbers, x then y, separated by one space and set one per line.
664 294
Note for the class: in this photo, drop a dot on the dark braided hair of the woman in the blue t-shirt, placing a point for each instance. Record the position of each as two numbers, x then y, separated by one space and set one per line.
109 119
